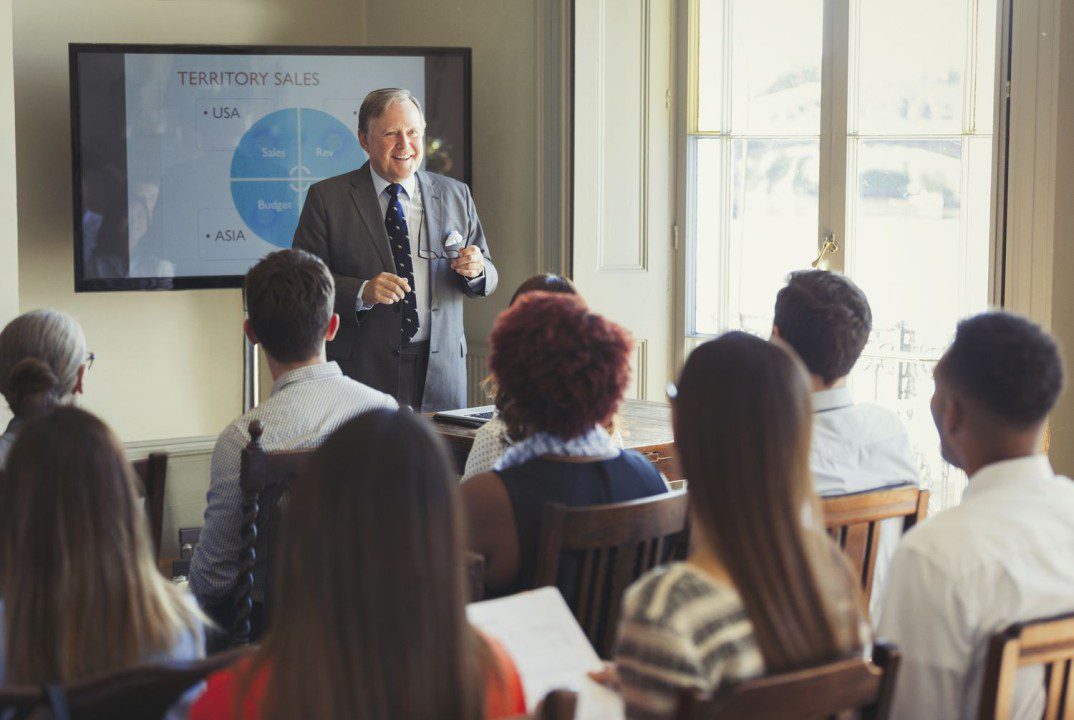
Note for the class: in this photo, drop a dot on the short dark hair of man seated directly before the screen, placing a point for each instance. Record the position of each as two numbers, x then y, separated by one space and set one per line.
289 297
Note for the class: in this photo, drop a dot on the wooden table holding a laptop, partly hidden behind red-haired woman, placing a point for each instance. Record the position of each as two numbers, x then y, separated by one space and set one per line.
646 427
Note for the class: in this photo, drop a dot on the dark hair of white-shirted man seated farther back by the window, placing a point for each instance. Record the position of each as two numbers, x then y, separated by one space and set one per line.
826 320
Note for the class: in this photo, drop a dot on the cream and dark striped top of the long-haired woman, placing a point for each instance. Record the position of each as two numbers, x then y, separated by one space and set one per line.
681 629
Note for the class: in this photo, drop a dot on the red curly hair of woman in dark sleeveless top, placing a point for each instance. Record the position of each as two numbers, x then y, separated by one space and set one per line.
560 368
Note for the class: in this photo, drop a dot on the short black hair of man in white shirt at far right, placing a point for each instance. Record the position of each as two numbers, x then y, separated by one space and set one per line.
1008 364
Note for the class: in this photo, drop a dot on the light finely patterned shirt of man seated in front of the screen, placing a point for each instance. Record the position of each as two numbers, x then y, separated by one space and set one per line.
304 408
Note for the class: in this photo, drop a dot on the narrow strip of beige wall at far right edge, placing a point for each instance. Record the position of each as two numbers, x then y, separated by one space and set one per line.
1063 287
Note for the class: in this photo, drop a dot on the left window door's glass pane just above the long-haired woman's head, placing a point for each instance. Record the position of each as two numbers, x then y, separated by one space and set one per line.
771 228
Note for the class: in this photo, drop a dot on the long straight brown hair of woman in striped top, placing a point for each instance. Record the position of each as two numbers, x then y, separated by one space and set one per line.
745 443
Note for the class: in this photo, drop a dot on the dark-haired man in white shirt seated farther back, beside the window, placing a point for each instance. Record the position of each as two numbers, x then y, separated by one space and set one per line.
857 447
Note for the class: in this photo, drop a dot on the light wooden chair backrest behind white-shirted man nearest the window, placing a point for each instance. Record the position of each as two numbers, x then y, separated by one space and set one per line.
854 523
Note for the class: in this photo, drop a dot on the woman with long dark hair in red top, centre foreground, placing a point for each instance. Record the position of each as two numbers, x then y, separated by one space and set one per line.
369 610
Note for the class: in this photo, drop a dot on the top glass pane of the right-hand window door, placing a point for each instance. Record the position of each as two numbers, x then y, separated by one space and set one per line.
910 69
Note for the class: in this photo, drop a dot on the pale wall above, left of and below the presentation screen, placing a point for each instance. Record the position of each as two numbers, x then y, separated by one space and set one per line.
169 364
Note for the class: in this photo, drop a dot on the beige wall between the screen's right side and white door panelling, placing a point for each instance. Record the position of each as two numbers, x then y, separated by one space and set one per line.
503 36
